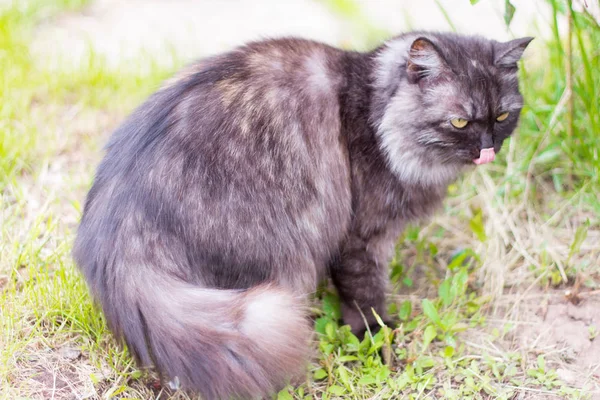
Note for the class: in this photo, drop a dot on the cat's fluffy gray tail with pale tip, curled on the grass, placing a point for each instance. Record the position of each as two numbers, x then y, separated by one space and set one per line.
220 343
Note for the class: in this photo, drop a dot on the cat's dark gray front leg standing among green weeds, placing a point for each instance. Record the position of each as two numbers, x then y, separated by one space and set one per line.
361 277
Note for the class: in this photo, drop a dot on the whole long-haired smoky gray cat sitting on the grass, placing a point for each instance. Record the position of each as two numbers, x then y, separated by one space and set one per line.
229 194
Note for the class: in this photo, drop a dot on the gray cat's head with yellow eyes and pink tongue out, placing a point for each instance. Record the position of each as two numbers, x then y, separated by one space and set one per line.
455 101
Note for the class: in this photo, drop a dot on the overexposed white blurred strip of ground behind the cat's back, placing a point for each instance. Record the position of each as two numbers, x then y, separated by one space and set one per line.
120 30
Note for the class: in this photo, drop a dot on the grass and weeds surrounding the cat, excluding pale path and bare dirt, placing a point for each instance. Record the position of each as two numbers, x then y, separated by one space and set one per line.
512 235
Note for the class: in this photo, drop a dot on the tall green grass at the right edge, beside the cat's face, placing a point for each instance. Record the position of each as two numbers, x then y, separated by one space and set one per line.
570 162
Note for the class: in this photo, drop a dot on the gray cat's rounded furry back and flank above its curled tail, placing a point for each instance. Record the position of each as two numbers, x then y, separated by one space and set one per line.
240 154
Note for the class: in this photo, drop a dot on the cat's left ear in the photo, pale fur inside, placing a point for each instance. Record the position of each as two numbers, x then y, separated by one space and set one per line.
424 61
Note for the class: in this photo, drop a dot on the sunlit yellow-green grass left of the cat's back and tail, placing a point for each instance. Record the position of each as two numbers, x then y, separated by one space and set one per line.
52 126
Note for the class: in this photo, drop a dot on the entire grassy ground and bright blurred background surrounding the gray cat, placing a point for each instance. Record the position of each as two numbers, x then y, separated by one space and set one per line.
497 297
